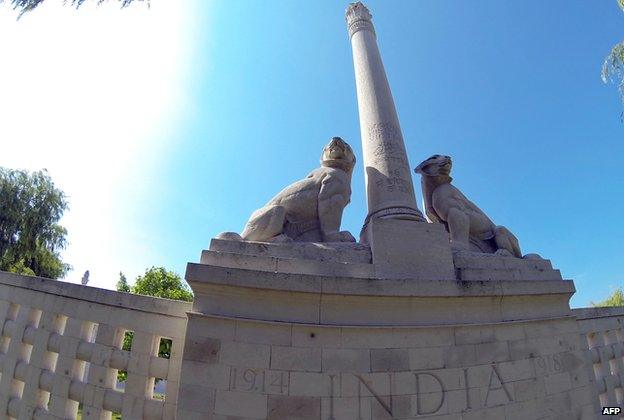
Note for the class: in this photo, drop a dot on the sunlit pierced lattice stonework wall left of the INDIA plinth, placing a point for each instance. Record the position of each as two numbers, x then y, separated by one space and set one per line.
61 350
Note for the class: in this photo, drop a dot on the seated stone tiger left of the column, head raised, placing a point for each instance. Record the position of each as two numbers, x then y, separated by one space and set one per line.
309 210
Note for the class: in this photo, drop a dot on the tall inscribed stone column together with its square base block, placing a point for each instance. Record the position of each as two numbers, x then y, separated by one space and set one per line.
401 244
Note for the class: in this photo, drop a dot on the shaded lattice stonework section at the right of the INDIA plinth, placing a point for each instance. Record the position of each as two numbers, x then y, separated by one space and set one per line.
604 331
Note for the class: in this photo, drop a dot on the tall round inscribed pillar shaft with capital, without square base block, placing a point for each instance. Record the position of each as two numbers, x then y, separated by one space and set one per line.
389 187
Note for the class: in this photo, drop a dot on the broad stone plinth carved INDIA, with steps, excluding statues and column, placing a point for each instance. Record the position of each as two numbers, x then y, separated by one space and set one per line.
268 341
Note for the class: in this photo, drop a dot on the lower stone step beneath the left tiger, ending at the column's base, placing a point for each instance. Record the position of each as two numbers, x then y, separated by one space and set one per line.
286 265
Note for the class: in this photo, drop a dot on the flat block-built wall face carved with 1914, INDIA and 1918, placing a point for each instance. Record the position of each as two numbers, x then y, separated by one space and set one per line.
488 371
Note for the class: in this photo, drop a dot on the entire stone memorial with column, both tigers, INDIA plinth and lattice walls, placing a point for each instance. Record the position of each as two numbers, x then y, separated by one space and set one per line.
436 314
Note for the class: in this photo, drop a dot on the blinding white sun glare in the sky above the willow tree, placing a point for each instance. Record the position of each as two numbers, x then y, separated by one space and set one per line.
84 93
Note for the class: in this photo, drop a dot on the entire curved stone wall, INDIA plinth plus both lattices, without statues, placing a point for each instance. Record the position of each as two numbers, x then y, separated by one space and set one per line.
262 344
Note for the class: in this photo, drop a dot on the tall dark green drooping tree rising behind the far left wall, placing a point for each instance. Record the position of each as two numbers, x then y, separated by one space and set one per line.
30 237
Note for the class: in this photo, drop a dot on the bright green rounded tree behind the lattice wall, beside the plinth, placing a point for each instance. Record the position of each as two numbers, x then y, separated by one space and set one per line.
158 282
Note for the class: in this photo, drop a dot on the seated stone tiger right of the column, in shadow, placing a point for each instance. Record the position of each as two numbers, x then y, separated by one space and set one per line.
468 226
